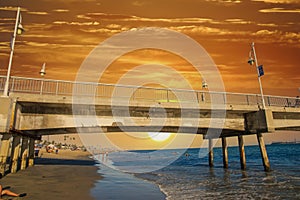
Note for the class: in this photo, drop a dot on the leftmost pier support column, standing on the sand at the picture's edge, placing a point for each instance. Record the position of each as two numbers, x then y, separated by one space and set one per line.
5 143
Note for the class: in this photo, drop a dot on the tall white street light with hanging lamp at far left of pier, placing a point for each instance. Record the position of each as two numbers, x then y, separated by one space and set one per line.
17 31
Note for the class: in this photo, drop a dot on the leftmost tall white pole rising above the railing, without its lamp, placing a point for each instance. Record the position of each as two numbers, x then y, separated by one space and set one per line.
5 92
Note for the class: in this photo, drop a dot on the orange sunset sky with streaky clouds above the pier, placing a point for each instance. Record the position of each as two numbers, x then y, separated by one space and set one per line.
63 32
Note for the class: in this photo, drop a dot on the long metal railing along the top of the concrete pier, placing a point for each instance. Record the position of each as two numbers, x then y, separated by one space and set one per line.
68 88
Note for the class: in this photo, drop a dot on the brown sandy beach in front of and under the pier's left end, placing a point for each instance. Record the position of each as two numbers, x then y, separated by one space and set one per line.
66 175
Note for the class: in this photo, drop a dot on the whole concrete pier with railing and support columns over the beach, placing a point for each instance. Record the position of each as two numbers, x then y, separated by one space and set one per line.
37 107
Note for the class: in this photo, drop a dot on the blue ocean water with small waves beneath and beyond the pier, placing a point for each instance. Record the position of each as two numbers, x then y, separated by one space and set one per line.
190 177
